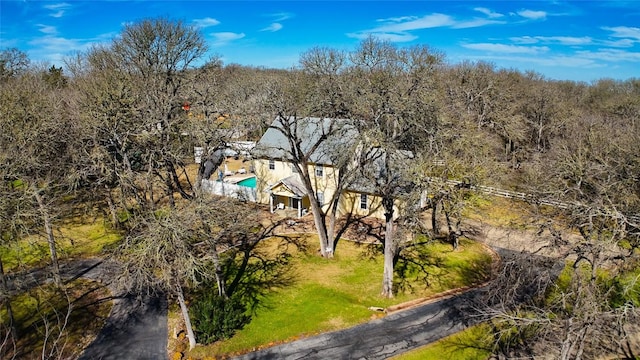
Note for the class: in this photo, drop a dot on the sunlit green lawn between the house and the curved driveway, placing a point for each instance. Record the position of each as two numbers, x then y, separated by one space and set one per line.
336 294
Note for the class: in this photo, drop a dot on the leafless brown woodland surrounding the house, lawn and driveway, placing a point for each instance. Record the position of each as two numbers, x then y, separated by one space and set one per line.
110 135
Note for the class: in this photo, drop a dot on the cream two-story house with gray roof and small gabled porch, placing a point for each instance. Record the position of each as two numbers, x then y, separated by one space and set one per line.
328 147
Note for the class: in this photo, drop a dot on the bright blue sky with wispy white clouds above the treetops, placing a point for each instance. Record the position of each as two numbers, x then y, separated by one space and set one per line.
564 40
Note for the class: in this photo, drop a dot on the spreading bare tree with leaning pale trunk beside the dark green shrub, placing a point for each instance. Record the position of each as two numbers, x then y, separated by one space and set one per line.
173 249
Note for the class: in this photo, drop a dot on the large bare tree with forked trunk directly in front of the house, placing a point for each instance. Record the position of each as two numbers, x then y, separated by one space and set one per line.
311 118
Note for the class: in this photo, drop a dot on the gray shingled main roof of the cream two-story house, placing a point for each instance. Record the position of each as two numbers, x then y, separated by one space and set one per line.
274 144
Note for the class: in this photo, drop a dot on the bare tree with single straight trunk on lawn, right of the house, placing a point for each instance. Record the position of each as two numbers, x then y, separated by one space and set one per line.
396 104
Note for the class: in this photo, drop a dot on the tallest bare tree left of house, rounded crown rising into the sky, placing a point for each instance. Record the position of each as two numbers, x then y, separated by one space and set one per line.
138 145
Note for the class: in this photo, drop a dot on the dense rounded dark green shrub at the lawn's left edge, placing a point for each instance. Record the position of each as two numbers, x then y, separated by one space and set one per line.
216 318
